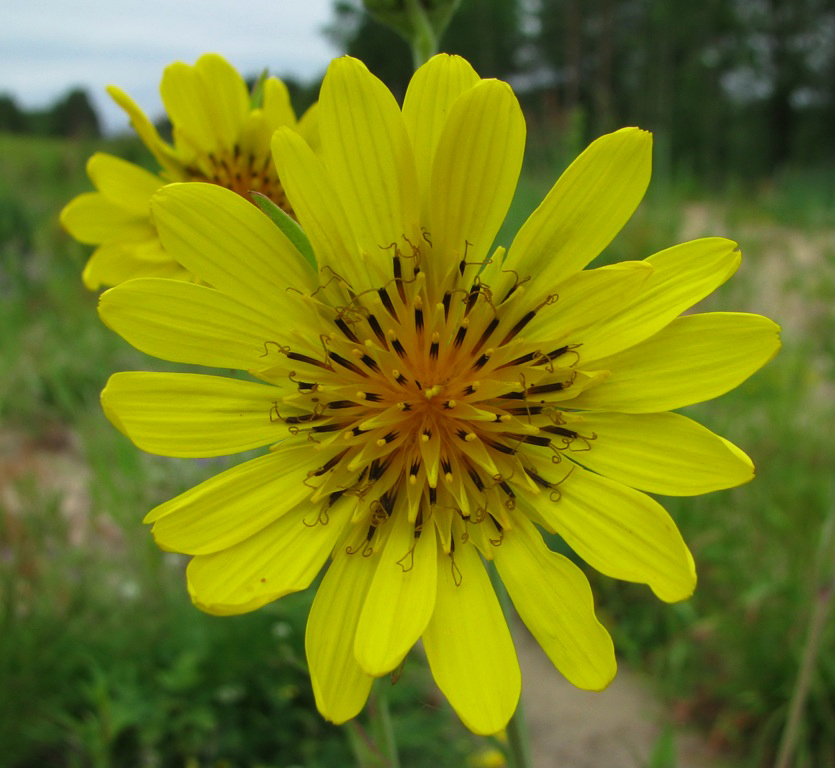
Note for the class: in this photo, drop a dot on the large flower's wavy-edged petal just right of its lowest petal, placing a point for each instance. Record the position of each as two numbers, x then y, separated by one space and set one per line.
553 598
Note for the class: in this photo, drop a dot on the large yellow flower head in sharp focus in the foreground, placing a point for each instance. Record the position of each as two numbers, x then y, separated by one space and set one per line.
429 405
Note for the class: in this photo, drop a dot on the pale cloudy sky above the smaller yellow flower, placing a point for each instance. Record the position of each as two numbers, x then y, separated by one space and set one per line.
48 47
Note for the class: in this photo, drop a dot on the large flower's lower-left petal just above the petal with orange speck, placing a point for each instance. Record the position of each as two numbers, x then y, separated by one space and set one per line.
232 506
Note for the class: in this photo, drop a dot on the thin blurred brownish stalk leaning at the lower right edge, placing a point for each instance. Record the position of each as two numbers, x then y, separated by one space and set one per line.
824 592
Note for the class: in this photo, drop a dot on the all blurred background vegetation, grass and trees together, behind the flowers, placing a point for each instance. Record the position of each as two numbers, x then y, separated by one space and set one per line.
103 662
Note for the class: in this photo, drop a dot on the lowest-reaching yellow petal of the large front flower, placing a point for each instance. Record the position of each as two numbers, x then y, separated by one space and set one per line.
468 644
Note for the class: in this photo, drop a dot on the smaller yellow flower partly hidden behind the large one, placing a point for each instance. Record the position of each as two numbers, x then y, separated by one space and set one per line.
219 136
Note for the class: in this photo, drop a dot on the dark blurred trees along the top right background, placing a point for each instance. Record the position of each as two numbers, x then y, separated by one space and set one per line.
729 87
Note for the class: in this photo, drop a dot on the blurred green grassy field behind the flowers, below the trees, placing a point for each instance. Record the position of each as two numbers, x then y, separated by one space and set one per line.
103 661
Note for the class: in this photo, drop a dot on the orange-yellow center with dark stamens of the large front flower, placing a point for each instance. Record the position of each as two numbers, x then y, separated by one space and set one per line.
433 405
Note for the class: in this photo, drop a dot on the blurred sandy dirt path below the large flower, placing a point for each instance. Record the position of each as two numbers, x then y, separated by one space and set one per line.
617 728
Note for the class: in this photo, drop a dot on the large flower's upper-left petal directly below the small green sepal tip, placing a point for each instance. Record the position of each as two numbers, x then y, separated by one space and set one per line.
229 243
